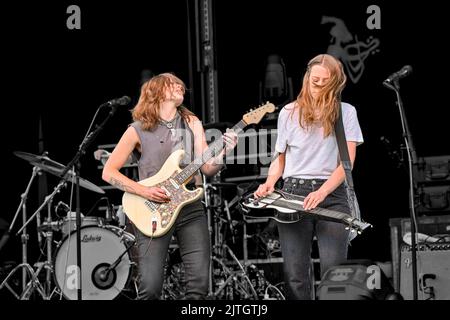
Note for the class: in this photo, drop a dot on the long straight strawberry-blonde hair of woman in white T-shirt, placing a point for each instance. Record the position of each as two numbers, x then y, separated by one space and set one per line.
328 101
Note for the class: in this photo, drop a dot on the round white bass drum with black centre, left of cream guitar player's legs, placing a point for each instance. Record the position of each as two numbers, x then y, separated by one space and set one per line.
100 248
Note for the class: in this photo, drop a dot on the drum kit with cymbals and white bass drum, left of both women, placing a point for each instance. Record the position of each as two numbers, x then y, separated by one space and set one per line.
106 266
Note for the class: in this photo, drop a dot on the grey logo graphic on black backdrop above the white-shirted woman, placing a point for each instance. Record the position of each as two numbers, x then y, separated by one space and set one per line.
346 47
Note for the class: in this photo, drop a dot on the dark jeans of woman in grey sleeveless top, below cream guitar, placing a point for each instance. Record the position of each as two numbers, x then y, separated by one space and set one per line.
191 230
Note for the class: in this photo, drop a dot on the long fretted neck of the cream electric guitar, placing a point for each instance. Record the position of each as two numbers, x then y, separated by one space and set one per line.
213 150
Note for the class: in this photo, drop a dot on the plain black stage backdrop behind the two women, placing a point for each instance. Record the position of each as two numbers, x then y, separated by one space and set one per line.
61 76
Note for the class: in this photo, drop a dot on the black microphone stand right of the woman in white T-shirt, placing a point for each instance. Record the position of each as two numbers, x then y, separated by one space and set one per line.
412 160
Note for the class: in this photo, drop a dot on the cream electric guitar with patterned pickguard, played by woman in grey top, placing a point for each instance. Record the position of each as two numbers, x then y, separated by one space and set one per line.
154 219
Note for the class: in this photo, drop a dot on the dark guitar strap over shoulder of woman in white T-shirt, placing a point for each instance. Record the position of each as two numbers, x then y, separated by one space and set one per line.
347 165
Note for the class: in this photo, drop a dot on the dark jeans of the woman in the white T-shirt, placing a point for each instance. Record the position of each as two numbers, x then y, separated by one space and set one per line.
296 239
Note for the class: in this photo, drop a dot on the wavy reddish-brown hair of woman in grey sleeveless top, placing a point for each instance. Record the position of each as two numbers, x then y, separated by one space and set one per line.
152 95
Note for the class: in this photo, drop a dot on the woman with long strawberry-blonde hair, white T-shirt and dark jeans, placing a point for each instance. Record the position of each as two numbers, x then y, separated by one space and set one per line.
308 162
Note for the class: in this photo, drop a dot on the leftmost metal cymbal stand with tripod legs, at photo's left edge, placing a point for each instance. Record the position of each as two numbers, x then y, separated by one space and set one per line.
27 270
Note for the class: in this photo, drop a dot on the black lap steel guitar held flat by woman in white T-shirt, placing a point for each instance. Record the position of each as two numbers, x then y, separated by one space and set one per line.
289 208
